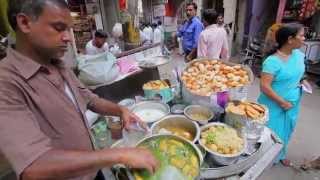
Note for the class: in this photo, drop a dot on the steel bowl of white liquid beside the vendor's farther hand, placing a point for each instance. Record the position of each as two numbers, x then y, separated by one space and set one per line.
151 105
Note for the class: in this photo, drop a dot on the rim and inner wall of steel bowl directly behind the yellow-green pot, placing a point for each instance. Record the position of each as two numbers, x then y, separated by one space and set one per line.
177 121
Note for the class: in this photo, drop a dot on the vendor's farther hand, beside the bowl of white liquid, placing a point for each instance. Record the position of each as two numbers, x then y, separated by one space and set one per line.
129 118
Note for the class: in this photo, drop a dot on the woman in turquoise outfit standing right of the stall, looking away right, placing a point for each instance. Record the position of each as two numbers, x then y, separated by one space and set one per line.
281 75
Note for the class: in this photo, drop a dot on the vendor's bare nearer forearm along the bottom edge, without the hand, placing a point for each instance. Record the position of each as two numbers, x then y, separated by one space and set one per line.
61 164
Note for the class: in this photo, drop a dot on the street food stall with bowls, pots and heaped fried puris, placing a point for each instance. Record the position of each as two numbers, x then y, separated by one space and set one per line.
204 128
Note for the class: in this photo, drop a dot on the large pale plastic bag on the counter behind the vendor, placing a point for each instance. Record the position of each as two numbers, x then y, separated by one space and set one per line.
97 69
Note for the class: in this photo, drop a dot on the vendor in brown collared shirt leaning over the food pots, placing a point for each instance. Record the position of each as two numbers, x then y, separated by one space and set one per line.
44 133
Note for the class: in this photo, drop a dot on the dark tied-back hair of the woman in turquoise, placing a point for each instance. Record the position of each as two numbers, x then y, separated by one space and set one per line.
284 33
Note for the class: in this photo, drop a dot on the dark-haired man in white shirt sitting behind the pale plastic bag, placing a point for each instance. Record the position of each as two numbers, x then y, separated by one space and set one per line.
98 44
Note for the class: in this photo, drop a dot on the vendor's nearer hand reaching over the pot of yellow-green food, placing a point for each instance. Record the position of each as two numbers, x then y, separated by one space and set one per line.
139 158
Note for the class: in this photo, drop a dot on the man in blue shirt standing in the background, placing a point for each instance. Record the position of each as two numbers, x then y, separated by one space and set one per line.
190 32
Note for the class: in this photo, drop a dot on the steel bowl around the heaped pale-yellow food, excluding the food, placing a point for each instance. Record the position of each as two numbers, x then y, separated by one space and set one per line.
222 159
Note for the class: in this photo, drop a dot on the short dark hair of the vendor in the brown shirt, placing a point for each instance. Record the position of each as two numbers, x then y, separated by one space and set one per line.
33 8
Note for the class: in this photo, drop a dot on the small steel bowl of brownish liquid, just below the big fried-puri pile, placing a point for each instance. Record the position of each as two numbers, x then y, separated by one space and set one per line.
198 109
